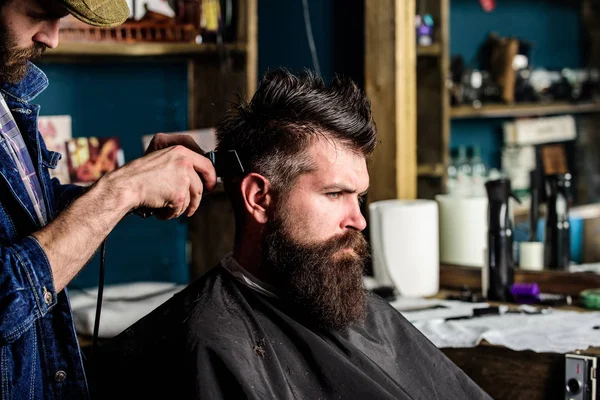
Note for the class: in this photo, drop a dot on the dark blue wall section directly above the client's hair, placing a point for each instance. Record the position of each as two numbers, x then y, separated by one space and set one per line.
338 31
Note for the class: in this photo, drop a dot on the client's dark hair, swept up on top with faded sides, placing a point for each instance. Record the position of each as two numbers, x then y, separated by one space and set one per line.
286 114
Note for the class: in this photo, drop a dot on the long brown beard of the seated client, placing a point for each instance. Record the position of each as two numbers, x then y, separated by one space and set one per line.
321 281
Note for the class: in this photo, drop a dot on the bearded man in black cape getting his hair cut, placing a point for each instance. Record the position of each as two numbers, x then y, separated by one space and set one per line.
285 315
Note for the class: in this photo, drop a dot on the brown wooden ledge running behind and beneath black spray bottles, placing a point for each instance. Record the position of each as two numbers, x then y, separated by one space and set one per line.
570 283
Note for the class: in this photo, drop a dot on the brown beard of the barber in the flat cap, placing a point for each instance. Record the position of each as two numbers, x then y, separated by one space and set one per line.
14 62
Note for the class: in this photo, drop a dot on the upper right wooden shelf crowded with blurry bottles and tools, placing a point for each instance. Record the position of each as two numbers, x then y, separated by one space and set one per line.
493 89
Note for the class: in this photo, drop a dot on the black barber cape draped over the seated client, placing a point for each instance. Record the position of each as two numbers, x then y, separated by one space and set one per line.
220 339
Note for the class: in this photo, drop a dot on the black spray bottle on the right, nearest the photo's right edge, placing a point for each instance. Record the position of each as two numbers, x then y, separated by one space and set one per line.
557 243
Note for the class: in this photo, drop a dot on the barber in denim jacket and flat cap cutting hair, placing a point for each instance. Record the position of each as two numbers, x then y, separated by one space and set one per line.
49 231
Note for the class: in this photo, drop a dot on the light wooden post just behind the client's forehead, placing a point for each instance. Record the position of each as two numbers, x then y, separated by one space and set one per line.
390 55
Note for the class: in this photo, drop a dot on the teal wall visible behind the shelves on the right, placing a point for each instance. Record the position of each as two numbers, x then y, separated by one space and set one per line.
552 26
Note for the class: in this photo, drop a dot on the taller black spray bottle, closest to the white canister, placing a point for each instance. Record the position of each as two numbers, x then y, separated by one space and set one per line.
500 263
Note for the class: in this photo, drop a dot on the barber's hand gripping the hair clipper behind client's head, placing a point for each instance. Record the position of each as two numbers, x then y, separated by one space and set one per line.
171 180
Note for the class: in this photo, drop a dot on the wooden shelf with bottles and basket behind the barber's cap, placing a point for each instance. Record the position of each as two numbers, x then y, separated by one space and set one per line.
162 29
